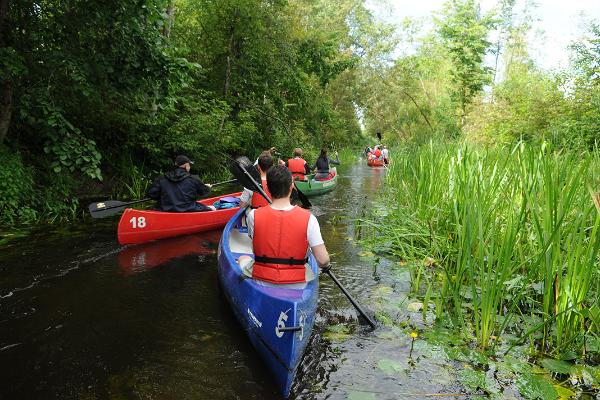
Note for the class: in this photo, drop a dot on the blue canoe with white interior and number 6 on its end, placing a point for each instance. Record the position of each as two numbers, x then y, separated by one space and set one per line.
278 319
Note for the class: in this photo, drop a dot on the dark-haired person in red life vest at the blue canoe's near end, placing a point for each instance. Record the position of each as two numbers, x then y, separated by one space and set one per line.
282 234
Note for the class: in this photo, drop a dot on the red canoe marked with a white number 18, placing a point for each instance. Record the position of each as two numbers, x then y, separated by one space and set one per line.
138 226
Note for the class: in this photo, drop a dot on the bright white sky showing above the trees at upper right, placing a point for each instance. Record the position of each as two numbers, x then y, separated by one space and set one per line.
556 23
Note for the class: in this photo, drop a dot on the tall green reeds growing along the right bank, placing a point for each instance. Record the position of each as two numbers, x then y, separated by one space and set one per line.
511 239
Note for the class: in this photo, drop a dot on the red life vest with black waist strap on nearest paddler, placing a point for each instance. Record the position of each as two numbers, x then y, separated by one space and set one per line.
280 244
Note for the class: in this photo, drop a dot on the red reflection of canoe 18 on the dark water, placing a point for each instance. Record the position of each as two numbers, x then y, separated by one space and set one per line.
139 258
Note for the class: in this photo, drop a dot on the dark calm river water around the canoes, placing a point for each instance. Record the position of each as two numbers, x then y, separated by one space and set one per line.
84 318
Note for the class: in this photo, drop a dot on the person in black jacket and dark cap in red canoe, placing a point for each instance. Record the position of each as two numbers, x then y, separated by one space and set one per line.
176 191
